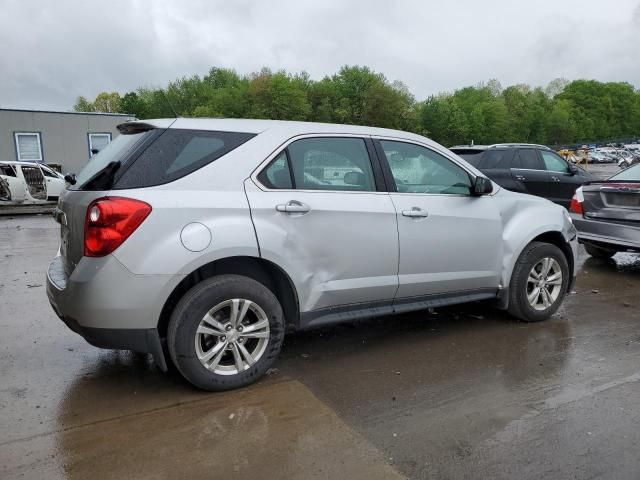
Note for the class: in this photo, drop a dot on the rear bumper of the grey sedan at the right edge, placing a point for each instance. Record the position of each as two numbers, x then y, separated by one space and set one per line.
599 232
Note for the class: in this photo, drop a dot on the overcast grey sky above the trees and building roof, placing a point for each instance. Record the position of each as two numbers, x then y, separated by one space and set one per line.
53 51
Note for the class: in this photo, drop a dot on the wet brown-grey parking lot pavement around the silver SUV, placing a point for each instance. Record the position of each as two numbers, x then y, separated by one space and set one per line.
459 393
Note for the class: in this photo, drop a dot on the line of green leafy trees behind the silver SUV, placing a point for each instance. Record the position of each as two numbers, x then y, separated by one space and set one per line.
561 113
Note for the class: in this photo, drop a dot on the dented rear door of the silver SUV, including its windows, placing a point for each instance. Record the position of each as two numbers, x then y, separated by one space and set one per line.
319 216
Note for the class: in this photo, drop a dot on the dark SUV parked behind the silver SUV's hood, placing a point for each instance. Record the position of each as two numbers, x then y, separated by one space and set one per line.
527 168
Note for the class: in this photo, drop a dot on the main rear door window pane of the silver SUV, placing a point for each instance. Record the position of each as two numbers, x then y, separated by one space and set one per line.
331 164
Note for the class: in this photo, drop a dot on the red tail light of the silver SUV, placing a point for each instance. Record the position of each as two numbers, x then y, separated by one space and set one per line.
109 222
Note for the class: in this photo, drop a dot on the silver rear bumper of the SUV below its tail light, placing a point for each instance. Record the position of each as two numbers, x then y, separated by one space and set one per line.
109 306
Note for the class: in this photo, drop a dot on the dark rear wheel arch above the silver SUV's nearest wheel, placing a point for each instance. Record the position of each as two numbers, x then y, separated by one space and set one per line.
259 269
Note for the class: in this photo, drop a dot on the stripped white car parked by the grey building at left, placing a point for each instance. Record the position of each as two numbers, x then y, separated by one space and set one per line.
29 183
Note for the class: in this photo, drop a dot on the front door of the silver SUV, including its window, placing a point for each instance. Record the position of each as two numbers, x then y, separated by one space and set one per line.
450 241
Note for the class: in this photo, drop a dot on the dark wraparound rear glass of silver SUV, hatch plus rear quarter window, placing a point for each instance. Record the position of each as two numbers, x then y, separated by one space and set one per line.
155 157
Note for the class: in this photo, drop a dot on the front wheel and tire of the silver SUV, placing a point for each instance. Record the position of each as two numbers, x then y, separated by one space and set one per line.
523 302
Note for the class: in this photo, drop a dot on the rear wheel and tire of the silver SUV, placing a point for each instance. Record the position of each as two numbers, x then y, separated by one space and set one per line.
208 331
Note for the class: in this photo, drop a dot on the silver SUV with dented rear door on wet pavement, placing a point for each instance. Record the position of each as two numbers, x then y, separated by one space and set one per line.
202 241
